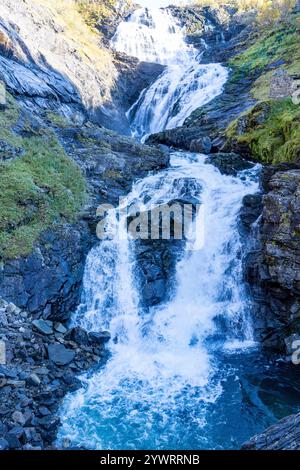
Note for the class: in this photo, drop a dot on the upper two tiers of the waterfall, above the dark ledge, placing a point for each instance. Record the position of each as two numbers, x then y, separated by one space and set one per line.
154 35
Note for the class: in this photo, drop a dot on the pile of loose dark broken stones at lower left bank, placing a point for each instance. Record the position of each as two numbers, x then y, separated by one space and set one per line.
40 362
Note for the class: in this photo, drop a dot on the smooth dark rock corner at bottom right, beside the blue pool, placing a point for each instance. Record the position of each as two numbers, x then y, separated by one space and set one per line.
285 435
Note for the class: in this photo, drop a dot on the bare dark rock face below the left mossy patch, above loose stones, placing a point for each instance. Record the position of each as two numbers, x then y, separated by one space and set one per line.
47 283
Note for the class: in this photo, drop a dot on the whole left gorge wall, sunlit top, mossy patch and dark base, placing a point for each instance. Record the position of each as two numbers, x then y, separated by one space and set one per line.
57 164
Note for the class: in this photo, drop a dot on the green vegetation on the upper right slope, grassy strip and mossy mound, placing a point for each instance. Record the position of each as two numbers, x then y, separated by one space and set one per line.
270 131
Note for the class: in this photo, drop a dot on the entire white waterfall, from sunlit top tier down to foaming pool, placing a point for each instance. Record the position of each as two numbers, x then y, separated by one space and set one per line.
163 375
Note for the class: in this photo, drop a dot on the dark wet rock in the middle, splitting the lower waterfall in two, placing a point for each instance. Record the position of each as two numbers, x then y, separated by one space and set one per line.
156 259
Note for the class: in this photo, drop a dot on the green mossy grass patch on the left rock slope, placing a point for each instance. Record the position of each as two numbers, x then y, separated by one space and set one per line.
41 188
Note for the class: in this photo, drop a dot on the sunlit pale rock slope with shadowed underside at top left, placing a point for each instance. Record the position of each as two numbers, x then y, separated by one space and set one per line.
68 68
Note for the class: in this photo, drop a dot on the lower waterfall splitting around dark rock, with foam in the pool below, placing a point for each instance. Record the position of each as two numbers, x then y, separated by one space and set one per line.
162 364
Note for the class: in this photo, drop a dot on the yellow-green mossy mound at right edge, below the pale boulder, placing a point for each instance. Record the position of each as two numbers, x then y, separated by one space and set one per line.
270 131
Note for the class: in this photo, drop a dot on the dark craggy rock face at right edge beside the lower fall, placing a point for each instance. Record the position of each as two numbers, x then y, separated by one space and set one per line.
273 266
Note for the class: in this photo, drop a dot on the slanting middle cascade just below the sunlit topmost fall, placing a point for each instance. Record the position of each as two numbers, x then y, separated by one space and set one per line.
175 95
